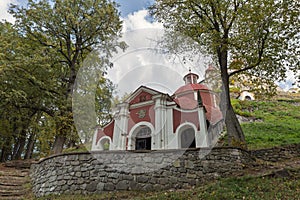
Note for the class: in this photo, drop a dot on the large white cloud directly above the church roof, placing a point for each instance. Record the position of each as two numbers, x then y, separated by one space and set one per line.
142 63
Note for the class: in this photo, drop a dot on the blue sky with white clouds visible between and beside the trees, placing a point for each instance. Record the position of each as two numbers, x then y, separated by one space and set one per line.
143 63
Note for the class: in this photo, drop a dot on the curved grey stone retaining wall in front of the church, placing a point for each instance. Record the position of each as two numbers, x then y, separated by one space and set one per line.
85 173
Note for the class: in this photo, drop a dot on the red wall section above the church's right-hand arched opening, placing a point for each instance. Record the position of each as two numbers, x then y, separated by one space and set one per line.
179 118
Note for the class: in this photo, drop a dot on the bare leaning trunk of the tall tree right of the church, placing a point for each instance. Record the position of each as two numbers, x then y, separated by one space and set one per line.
234 130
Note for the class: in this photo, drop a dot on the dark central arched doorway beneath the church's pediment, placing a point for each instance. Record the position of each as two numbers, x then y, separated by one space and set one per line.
143 139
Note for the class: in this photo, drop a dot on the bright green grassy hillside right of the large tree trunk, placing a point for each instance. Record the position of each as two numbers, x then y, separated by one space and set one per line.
280 126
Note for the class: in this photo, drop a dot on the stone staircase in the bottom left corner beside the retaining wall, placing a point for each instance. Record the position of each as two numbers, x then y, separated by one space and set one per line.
14 181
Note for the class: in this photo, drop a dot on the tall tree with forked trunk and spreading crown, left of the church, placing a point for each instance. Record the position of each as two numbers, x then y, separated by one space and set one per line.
70 29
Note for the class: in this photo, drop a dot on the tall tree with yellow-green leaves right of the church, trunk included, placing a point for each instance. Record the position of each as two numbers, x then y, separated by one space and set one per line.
261 37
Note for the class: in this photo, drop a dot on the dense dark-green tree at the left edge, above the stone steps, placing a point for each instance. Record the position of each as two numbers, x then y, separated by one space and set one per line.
25 90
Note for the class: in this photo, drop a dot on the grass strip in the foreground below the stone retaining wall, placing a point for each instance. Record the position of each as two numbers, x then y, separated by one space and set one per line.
229 188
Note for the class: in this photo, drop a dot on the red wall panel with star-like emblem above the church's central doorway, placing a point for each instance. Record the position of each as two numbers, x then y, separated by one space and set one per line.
136 116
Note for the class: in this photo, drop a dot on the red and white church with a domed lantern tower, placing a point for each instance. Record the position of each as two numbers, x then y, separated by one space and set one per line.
151 120
